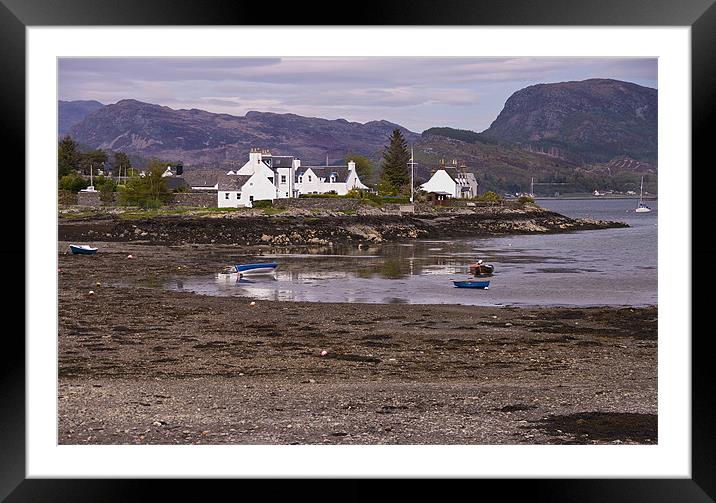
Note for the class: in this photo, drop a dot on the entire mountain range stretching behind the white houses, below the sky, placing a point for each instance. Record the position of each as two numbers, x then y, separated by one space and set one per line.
561 130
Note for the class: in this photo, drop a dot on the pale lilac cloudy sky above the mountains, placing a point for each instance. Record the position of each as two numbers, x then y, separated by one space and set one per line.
417 93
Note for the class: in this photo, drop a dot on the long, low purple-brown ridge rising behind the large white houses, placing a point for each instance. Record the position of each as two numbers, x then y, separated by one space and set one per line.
196 136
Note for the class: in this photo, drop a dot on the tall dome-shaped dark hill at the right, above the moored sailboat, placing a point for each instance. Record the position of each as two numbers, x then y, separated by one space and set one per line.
588 121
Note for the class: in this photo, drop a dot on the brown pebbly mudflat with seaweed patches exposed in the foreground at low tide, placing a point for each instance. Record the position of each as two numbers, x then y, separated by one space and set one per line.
143 365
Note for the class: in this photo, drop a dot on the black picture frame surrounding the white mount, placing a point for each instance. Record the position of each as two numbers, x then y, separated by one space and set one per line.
699 15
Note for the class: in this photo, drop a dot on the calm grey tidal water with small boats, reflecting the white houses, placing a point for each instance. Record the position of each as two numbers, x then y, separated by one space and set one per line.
611 267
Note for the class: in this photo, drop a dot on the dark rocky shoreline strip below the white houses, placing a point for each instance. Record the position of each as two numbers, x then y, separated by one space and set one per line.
322 228
